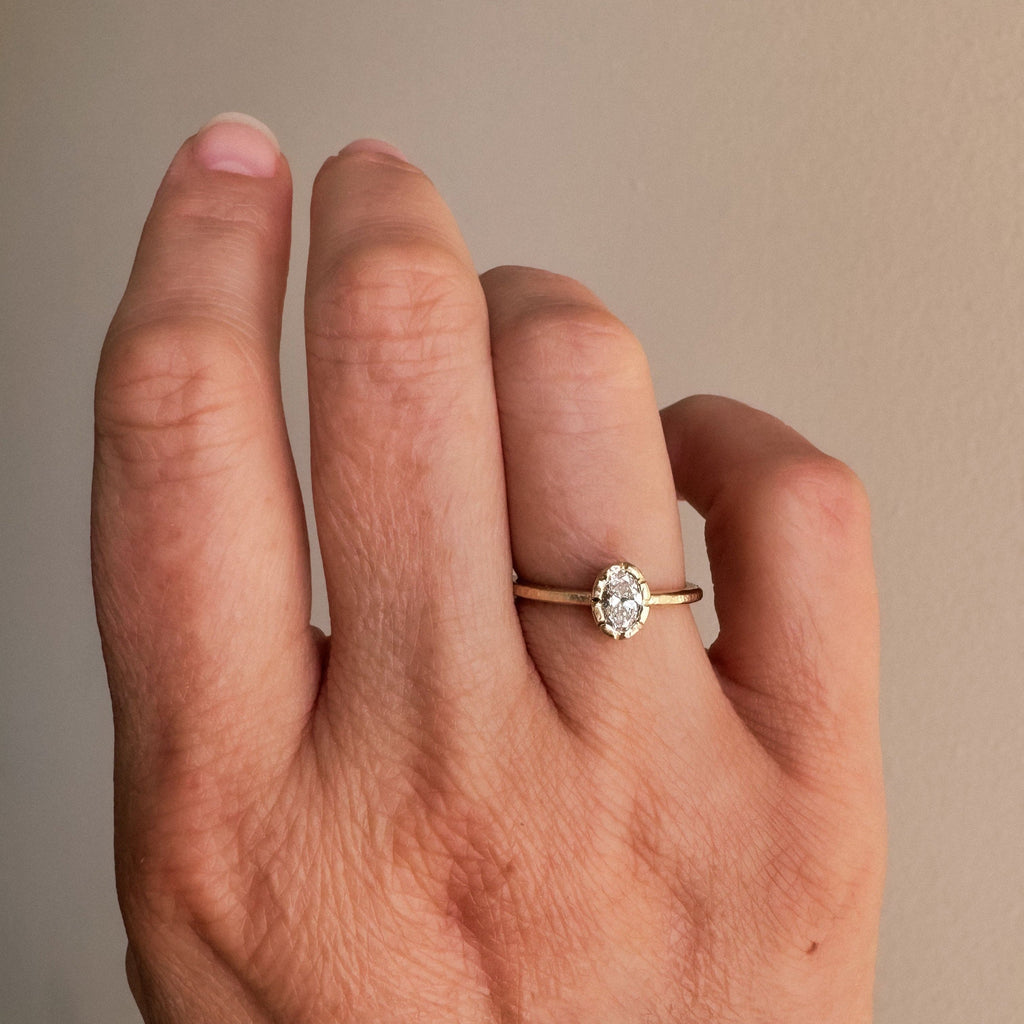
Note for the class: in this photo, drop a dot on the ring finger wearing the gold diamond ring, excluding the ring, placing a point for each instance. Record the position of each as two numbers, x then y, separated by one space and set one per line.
589 485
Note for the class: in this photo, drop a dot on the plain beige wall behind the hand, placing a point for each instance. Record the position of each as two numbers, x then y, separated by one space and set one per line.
817 207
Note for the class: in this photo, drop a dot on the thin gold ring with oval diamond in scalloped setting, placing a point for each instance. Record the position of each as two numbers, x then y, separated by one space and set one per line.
620 600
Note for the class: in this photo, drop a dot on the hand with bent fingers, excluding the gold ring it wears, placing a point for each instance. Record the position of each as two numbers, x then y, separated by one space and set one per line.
462 808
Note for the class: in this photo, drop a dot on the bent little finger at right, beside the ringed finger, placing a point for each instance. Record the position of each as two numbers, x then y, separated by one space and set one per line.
789 540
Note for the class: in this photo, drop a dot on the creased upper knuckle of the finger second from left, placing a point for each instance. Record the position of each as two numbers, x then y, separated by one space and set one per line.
395 308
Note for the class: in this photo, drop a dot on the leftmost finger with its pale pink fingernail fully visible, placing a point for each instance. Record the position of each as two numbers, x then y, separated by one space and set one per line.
200 552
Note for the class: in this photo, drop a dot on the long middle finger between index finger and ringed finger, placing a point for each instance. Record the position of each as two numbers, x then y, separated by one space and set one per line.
407 464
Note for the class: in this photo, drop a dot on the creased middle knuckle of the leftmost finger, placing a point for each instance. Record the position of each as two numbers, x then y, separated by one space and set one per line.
165 392
